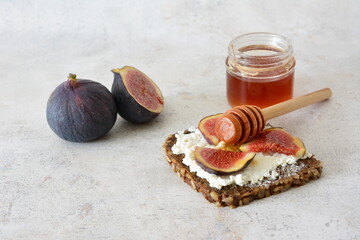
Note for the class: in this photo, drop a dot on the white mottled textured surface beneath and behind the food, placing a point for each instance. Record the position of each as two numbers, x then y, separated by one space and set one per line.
120 187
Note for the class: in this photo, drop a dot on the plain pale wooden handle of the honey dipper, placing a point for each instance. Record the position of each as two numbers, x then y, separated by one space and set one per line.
296 103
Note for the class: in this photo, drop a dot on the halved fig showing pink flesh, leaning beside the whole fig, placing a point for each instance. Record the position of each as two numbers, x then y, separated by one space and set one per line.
138 98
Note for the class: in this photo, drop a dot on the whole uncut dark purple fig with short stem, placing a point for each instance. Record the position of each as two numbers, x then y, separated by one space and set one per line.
81 110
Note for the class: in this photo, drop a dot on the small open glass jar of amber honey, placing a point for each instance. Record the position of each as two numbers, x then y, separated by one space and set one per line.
260 70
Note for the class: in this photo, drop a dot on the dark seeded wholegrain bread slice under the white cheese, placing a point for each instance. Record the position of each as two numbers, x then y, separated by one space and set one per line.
235 195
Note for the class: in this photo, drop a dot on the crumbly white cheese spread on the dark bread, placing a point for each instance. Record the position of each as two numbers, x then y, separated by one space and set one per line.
262 166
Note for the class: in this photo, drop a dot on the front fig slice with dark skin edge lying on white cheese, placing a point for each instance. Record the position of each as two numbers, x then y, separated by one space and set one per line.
222 162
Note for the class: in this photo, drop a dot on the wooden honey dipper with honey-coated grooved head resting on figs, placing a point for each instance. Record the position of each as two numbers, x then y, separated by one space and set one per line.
242 123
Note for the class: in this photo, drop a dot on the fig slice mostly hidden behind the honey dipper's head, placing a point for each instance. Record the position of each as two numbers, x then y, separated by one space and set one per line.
207 128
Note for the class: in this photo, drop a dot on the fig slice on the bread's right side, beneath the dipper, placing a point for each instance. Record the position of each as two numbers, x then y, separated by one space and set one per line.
275 140
